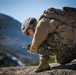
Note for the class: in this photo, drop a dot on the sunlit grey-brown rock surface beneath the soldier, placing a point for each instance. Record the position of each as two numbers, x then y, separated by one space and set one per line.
57 69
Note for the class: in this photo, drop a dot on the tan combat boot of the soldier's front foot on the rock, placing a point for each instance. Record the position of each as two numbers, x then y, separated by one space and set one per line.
43 66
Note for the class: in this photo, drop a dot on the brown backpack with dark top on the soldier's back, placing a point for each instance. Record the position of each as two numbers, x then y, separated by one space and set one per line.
66 15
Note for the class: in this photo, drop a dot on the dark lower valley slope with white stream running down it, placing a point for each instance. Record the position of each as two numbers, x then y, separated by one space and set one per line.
9 57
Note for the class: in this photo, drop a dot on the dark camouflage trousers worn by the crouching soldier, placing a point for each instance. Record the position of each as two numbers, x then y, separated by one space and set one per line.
56 45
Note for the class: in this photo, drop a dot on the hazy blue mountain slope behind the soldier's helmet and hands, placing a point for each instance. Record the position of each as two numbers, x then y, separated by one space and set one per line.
11 36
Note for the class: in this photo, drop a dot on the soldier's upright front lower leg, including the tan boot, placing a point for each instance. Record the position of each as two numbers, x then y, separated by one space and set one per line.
44 58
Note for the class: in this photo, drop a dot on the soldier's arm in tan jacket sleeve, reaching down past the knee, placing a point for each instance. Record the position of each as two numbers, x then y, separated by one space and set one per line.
41 33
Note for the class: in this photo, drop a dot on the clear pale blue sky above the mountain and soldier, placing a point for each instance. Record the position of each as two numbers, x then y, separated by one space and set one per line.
22 9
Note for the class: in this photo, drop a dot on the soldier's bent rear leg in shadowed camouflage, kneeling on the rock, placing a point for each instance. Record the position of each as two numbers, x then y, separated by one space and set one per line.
66 55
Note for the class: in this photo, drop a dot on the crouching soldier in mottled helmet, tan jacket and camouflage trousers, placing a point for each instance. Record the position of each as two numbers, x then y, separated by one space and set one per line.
54 34
